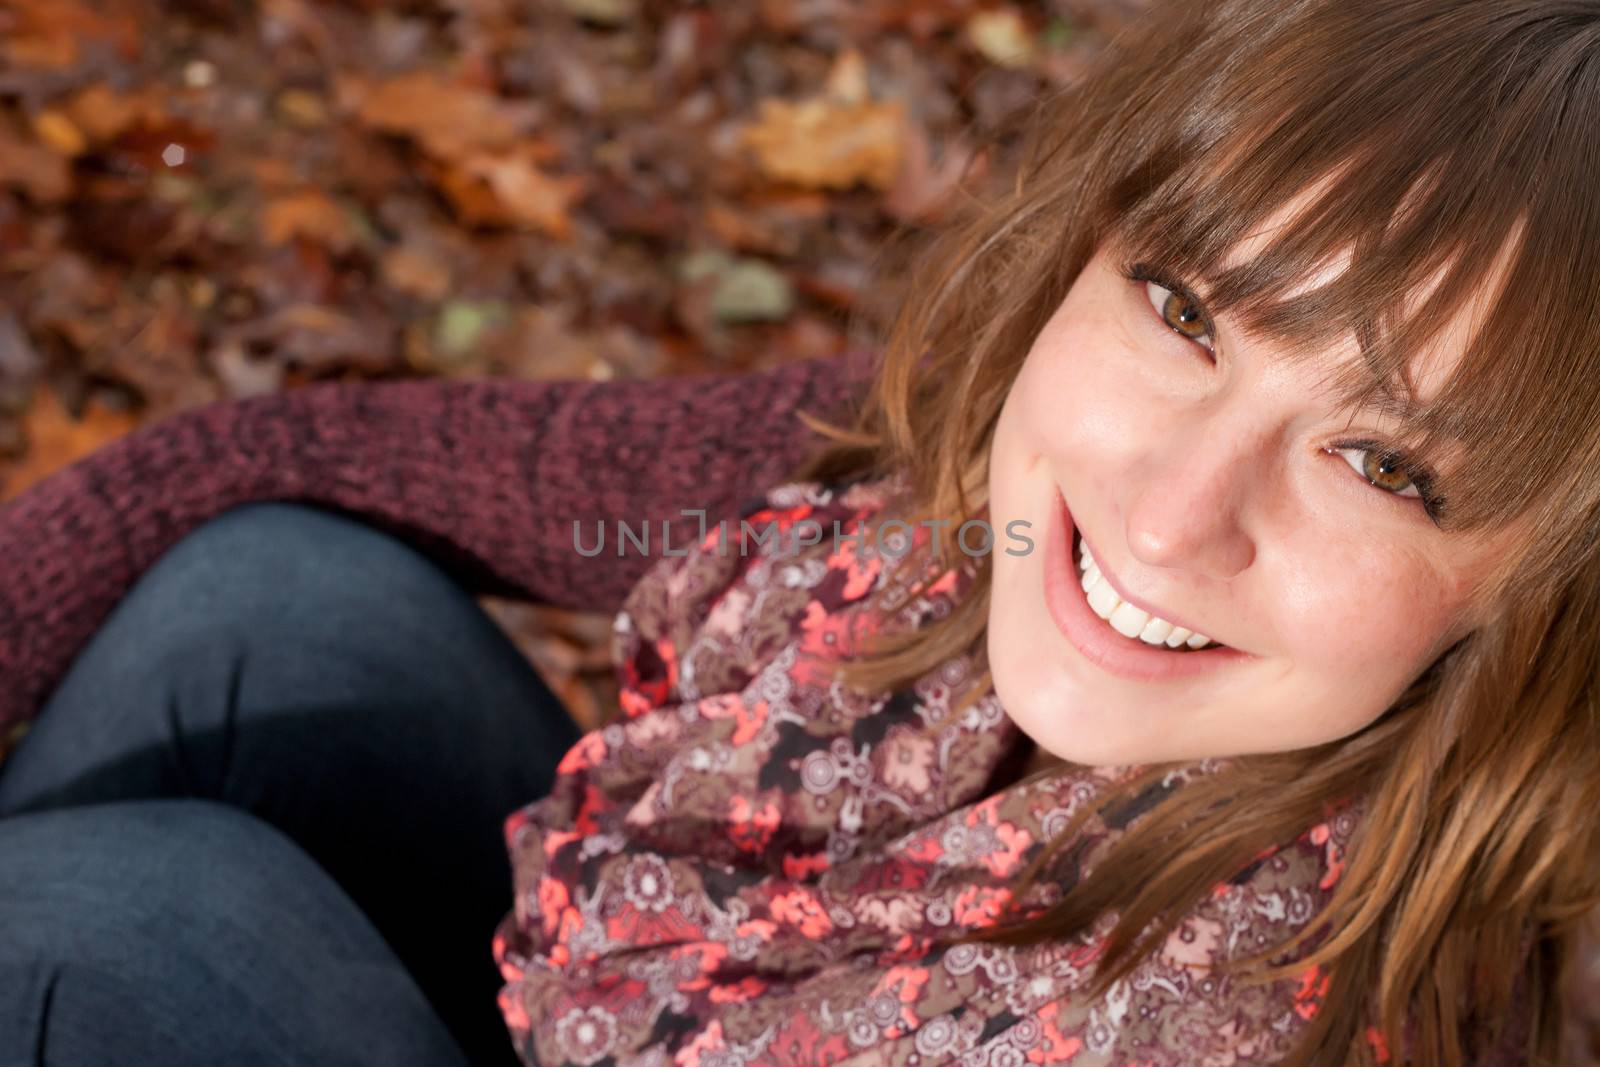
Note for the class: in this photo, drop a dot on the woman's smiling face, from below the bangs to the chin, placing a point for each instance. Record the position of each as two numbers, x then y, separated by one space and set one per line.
1217 490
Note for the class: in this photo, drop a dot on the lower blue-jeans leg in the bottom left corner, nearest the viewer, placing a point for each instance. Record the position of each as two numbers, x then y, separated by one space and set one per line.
183 932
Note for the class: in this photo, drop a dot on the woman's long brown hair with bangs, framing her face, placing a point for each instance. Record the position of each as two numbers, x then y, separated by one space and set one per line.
1442 140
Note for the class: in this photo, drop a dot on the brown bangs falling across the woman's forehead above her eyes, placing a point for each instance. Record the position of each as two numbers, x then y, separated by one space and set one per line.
1455 241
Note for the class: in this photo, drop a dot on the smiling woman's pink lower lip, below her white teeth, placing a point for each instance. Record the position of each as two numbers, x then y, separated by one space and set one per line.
1092 636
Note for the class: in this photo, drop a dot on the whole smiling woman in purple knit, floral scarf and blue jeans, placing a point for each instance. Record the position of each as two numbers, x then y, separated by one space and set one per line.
1279 369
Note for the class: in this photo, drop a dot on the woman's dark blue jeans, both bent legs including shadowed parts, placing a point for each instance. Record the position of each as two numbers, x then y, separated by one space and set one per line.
260 820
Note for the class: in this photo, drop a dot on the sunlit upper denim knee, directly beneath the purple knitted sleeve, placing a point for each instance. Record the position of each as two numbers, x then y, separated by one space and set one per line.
284 610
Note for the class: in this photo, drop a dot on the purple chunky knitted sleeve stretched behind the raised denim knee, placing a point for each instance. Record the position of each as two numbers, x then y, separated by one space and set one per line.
487 478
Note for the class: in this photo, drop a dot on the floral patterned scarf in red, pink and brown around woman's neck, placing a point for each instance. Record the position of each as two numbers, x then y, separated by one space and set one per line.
750 866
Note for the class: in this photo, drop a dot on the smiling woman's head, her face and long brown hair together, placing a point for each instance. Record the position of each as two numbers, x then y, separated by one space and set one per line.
1287 342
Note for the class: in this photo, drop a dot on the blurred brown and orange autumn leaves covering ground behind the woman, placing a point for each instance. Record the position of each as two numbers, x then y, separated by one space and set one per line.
214 199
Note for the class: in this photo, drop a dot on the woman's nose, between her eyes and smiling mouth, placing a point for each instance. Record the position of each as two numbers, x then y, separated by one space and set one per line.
1188 498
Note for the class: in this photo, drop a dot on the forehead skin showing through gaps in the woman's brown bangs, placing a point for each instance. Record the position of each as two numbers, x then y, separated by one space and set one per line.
1433 366
